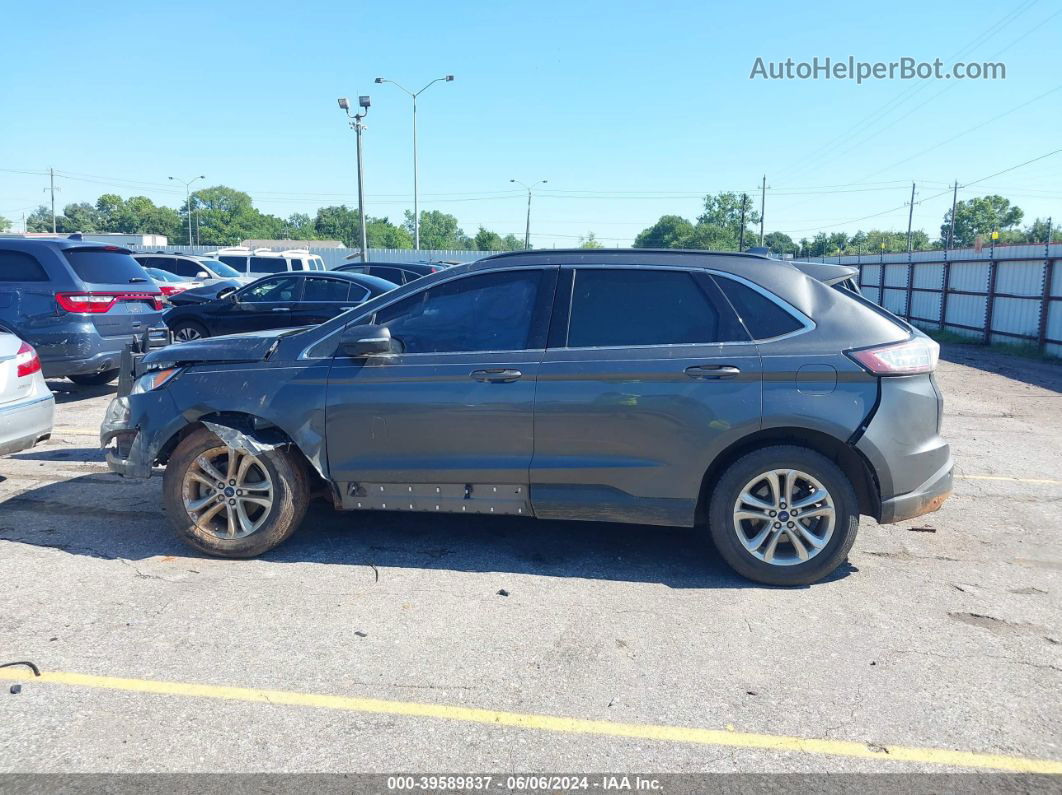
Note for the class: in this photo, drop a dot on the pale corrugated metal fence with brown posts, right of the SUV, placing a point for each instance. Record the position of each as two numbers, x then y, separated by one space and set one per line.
1007 295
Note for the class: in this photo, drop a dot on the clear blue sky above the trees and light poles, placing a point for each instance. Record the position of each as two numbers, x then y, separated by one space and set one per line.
631 111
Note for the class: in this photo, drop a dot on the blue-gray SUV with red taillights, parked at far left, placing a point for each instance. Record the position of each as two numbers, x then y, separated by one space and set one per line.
79 304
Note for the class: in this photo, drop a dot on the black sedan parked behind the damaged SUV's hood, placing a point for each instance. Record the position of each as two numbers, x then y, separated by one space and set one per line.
297 299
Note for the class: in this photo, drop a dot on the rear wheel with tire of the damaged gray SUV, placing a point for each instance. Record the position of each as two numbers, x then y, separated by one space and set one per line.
763 550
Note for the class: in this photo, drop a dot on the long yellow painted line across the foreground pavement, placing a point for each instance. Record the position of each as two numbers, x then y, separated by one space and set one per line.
552 723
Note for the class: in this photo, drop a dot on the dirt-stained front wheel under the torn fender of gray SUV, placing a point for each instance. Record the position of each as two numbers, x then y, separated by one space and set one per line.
231 504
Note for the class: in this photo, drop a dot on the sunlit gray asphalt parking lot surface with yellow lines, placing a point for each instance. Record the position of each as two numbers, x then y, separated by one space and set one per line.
401 643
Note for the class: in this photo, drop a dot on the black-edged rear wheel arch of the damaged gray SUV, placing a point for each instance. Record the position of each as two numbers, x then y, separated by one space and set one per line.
851 462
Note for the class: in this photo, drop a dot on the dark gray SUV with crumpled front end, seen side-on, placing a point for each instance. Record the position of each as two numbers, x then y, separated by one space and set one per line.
748 396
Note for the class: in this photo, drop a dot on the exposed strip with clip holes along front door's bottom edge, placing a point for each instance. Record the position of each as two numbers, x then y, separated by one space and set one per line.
443 498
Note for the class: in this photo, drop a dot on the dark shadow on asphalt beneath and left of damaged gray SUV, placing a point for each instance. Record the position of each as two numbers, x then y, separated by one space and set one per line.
123 520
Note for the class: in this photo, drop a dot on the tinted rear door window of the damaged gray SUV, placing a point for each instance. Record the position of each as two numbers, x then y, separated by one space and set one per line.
633 307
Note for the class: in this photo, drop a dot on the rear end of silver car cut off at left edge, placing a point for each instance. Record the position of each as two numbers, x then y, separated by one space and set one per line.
27 406
